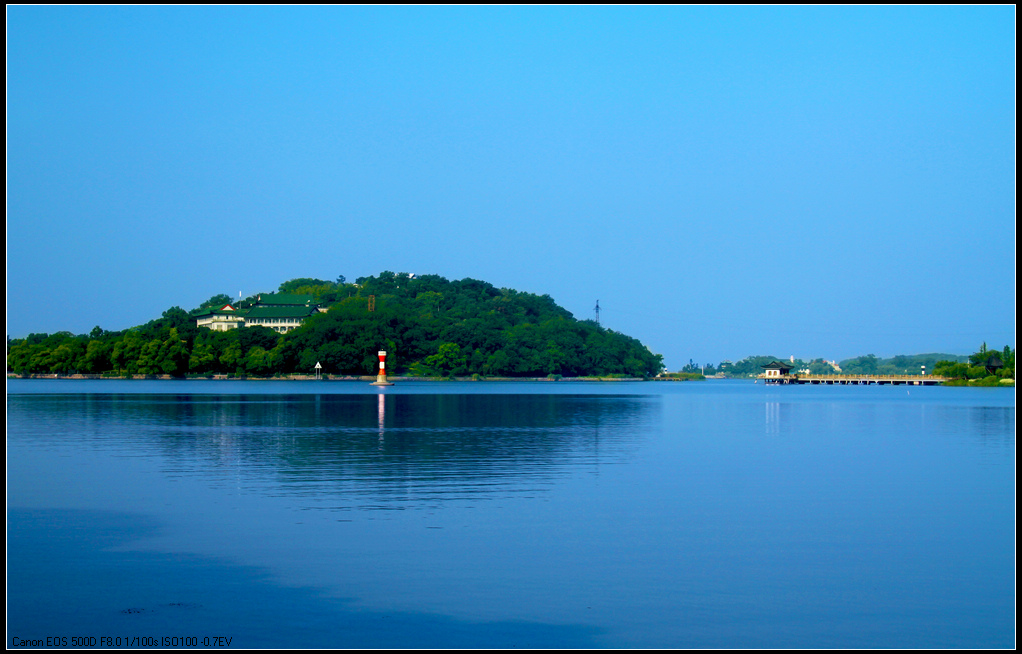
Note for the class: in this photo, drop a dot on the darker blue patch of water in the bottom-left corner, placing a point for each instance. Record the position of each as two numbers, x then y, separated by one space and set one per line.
198 597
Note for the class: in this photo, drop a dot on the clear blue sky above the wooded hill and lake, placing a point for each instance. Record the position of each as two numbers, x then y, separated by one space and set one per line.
818 182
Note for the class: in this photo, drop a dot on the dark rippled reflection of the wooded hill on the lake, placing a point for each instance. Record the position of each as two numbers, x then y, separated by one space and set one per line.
382 450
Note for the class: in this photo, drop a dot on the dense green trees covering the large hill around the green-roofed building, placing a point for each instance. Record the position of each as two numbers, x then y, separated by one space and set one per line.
429 326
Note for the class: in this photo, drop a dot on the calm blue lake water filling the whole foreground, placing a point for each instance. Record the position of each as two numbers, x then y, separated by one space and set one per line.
713 515
